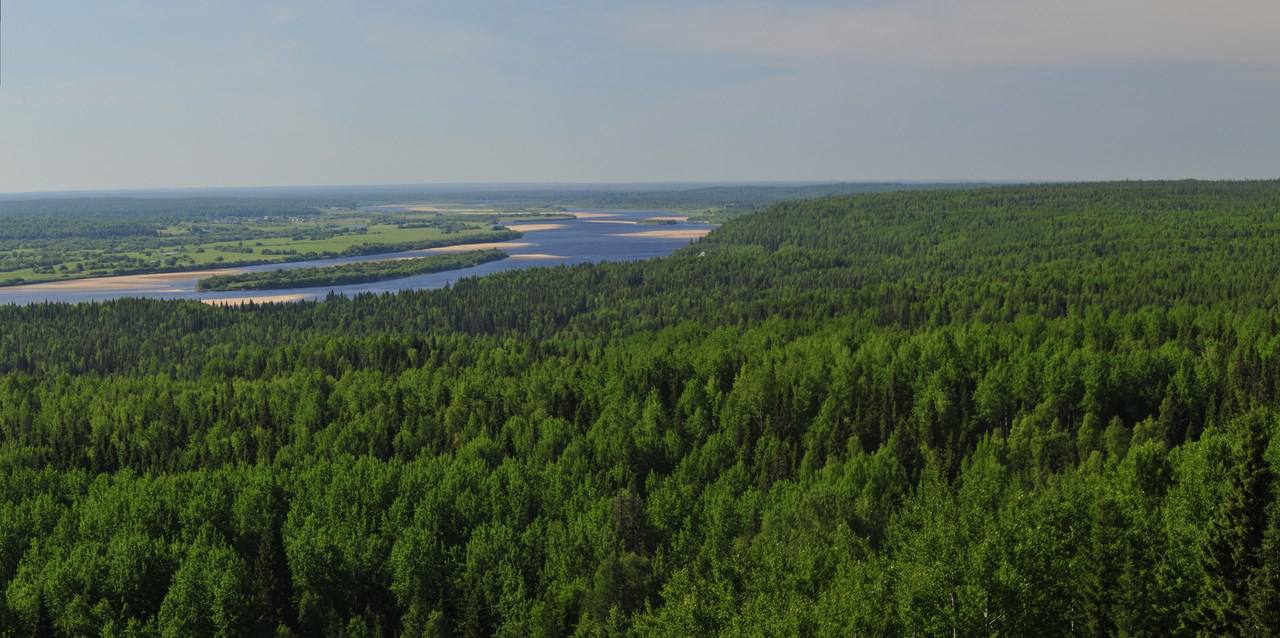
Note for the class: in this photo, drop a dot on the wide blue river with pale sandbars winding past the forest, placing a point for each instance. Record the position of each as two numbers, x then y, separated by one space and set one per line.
597 236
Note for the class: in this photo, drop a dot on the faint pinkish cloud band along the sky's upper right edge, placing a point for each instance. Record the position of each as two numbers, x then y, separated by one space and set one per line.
968 33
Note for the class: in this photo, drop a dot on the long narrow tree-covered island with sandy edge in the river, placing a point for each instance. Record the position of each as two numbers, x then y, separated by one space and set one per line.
345 275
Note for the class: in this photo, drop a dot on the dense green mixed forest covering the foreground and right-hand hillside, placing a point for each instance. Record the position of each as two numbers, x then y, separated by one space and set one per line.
1035 411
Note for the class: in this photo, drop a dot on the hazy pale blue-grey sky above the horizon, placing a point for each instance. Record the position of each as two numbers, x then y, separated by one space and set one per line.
148 94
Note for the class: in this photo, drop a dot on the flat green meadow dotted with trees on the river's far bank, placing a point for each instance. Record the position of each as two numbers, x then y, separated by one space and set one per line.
80 249
